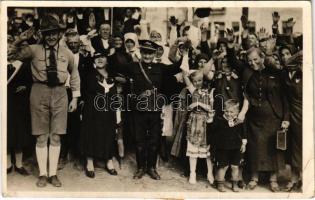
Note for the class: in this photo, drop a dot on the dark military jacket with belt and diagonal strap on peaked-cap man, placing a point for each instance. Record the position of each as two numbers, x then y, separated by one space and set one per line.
146 96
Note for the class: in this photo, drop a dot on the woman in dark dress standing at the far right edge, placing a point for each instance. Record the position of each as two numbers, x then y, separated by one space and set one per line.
292 77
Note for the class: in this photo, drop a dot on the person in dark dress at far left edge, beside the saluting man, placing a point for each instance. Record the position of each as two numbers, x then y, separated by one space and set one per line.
19 130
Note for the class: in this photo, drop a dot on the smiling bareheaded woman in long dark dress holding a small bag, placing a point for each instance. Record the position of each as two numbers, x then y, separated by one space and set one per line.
267 113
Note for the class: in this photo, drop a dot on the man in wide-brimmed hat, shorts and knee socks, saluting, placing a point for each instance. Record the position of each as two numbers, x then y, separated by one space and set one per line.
50 64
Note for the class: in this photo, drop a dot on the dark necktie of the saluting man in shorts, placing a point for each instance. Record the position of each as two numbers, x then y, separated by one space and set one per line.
52 79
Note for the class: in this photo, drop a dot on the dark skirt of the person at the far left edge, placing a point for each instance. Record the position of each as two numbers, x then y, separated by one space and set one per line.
19 122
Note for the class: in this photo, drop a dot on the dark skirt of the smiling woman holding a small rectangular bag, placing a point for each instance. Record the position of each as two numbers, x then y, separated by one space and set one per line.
263 125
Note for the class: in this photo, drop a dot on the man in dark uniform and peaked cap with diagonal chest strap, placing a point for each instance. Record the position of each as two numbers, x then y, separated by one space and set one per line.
150 80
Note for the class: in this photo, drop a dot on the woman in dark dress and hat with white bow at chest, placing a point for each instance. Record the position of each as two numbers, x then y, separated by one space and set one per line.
97 139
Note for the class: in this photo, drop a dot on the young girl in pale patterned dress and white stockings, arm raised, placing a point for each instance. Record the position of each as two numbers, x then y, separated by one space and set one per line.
201 114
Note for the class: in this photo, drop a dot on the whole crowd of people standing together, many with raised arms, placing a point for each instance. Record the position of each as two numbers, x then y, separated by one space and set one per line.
80 87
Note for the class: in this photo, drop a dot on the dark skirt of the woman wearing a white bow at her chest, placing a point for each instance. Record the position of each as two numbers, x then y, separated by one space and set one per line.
97 138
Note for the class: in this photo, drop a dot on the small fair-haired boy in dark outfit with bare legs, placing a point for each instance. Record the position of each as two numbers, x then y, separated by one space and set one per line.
228 140
